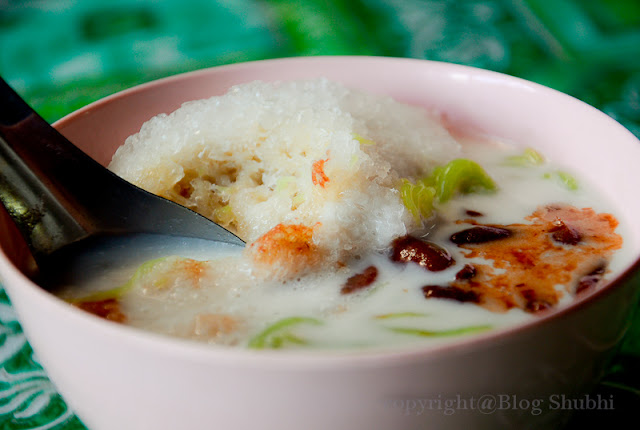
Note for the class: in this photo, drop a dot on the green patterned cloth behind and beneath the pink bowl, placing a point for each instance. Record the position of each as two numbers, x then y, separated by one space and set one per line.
63 54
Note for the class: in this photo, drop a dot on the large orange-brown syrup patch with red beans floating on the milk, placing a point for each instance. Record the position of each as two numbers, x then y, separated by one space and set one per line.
563 245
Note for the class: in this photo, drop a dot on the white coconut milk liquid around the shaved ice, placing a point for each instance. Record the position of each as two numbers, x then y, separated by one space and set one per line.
223 301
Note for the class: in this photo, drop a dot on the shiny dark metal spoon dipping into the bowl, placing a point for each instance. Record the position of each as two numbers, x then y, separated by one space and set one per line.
66 204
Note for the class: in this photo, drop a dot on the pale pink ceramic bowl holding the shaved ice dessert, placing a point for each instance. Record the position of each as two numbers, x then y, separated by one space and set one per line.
115 377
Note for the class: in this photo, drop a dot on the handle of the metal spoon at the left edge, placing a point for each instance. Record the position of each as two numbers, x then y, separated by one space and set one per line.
36 166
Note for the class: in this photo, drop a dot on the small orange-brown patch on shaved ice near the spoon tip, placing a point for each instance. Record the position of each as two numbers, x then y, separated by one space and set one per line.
289 245
